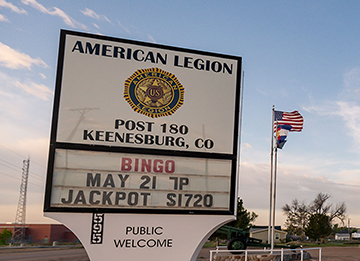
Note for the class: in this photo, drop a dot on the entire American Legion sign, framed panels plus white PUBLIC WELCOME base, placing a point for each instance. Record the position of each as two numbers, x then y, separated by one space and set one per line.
144 148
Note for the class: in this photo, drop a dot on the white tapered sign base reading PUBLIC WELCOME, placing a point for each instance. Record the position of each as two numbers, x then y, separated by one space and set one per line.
142 237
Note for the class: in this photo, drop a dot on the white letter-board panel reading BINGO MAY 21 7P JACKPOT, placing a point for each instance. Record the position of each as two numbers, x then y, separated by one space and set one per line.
86 179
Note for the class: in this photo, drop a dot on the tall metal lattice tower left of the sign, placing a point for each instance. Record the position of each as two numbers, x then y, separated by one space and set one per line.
19 227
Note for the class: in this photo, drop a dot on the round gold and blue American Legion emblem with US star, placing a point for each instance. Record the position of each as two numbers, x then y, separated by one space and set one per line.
154 92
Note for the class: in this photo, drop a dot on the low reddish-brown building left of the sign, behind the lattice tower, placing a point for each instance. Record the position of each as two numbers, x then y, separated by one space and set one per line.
44 233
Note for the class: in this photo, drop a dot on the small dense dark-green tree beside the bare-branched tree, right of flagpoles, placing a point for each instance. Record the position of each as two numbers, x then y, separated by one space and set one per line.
319 226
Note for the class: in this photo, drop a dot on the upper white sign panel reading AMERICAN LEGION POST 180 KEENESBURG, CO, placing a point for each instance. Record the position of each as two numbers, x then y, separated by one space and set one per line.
109 97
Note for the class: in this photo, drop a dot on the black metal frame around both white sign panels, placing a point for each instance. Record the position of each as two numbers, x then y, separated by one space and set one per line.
56 145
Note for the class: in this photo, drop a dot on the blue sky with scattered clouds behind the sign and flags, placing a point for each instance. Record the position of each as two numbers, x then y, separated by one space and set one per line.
297 55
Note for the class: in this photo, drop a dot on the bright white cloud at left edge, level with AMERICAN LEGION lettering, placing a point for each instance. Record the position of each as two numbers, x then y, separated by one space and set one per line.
13 59
